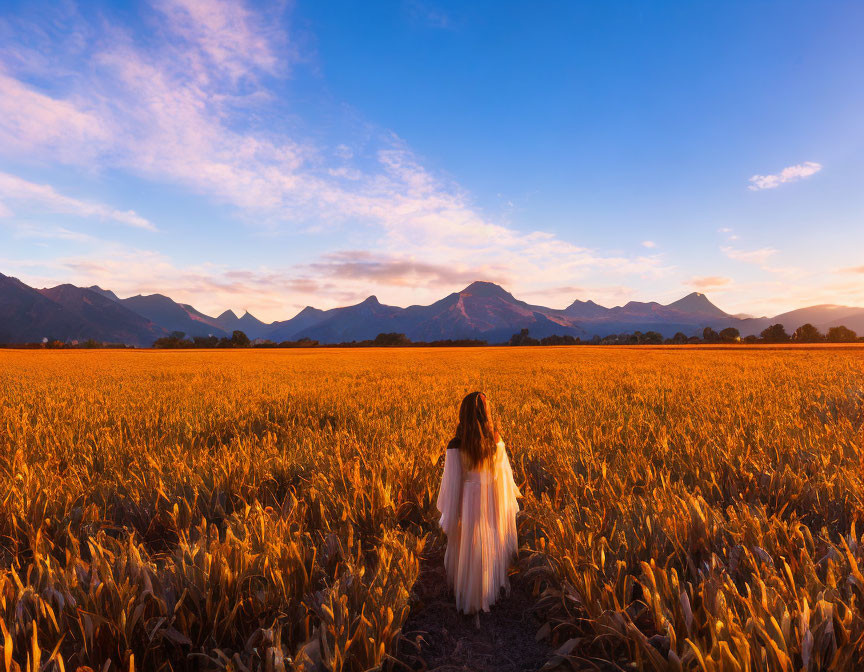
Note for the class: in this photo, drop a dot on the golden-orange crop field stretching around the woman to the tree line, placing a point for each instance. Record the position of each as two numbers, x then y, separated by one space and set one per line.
684 509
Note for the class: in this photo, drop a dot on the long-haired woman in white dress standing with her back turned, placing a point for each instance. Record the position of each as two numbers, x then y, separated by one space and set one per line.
478 506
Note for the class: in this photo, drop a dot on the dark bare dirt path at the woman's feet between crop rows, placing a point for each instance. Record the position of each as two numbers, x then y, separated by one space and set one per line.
439 639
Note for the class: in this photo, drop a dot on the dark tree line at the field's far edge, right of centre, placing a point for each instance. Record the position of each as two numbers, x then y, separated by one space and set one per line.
776 333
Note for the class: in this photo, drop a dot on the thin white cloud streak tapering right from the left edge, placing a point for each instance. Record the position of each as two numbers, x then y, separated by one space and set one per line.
44 197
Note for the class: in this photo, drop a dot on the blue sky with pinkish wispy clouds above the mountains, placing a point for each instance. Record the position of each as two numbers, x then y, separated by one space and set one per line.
266 156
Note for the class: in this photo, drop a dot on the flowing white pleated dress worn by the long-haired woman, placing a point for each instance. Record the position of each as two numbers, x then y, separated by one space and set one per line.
478 515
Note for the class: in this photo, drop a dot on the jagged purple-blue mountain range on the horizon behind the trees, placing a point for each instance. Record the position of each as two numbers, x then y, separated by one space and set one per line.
482 310
